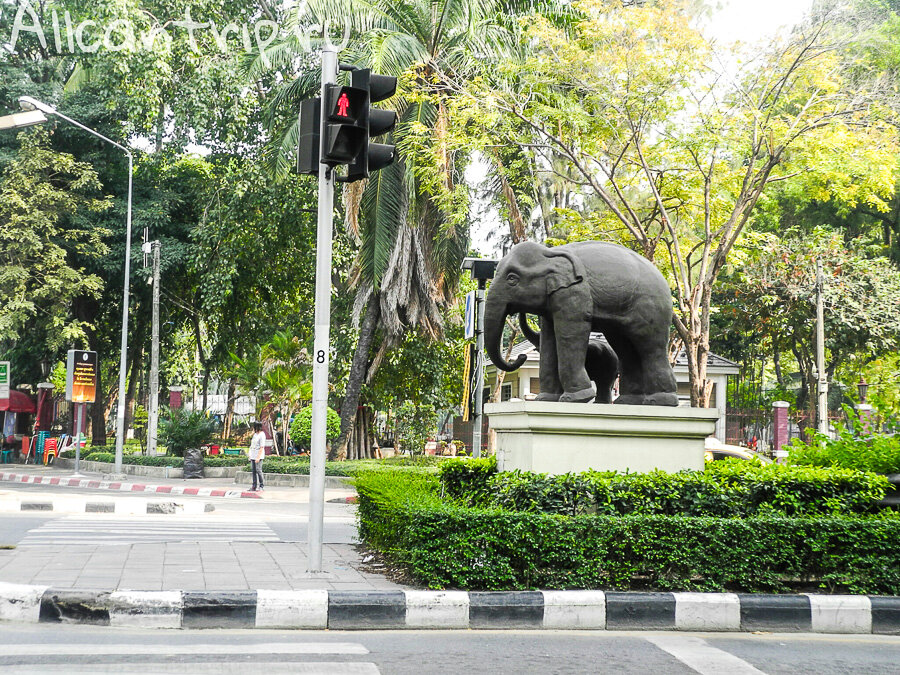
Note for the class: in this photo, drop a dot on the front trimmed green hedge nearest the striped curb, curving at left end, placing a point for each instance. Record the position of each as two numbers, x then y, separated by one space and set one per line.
448 546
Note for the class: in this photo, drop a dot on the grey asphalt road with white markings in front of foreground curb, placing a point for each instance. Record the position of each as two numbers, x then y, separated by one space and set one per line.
80 649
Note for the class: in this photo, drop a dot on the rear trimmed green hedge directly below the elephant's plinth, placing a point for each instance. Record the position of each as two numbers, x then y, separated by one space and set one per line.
725 489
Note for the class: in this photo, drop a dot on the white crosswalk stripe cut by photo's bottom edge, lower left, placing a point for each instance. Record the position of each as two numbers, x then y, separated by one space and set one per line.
270 668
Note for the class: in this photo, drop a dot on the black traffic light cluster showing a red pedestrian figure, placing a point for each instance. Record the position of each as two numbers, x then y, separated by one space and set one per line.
350 123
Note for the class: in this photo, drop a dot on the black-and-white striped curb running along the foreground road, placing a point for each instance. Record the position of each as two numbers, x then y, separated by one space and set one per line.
377 610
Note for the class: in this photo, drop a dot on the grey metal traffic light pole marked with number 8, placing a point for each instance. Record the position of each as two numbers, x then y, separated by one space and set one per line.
322 326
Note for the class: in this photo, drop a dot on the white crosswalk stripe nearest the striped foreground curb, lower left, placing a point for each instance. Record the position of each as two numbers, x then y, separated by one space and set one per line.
270 648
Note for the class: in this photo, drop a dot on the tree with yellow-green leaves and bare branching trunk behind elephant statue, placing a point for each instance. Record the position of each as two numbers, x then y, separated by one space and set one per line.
678 151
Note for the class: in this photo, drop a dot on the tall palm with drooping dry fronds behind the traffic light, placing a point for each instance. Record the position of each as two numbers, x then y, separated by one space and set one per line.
411 245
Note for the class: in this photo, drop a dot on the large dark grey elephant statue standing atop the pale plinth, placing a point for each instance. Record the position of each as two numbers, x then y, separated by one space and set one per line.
576 289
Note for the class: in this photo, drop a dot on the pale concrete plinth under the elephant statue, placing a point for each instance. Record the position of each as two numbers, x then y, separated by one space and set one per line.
558 438
